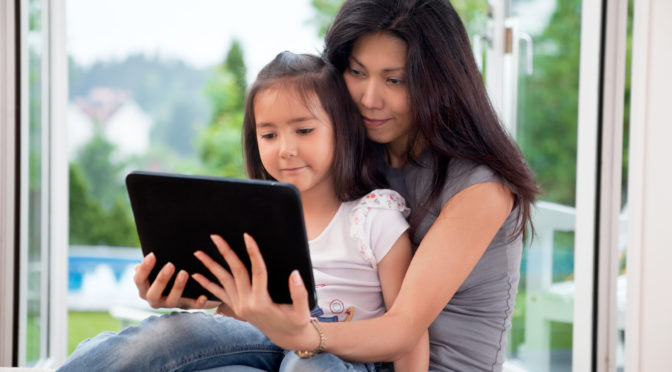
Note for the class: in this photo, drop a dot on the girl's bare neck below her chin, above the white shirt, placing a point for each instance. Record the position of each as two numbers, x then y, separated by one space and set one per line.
318 210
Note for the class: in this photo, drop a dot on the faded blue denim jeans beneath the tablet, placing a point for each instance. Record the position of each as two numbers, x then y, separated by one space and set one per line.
185 341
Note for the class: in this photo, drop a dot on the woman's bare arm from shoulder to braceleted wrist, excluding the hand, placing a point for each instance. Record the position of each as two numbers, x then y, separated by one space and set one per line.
449 251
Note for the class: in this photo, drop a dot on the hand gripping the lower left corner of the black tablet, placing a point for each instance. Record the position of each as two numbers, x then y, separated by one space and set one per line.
153 293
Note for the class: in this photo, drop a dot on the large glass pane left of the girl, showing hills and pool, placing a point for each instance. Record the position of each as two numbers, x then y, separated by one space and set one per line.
163 93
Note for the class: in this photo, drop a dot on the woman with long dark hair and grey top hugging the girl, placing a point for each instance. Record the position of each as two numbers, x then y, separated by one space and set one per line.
409 68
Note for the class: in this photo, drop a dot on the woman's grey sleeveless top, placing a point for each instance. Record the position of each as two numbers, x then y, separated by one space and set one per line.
470 332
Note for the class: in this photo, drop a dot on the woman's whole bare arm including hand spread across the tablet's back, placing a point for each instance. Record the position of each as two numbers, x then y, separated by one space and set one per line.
449 251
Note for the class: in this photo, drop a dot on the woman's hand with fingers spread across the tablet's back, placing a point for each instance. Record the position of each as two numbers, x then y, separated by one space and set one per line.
287 325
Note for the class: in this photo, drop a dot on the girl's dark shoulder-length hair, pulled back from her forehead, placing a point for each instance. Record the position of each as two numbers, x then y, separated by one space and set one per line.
310 76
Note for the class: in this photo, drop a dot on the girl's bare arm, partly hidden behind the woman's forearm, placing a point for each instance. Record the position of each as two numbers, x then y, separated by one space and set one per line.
391 270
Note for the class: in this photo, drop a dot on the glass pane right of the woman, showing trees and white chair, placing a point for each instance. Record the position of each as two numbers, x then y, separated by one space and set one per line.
547 111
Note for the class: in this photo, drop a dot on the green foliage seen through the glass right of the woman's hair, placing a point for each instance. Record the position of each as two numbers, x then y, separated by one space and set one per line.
548 105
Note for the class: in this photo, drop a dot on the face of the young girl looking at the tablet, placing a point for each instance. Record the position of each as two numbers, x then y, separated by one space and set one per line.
296 142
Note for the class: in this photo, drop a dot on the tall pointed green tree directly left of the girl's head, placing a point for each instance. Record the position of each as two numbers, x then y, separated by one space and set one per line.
220 143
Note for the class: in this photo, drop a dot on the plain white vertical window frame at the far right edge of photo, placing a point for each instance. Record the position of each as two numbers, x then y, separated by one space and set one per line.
649 199
